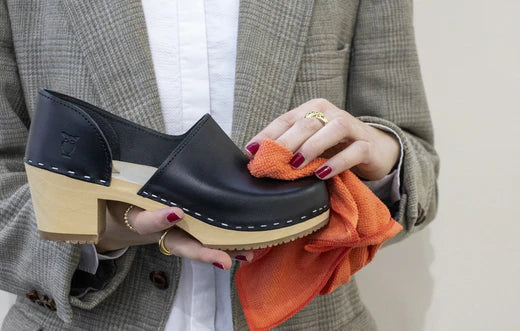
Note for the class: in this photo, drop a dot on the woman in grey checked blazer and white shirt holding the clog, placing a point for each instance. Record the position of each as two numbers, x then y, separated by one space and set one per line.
355 61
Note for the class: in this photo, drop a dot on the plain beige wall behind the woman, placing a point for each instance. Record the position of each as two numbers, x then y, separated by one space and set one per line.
463 272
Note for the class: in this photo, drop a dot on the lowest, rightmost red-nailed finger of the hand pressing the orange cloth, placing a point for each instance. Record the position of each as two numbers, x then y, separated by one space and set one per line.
358 152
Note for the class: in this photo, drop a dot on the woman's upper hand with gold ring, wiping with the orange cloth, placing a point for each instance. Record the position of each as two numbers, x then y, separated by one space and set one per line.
347 142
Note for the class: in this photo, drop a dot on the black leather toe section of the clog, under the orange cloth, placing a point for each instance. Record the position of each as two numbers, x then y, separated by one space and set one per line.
207 175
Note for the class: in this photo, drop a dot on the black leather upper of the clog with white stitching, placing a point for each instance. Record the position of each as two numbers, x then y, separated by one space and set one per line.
201 171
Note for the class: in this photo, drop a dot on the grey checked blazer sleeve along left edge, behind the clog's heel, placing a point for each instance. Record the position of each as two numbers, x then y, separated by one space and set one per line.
28 263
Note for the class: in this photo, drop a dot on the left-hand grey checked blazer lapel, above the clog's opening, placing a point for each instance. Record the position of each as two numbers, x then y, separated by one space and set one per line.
113 38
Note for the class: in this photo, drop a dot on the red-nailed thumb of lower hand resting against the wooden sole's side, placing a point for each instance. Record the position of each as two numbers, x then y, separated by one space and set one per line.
151 221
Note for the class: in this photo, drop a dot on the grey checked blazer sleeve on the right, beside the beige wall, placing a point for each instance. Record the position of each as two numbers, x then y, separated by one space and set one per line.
385 87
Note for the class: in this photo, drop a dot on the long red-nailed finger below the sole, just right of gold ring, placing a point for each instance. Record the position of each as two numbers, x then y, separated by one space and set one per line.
182 244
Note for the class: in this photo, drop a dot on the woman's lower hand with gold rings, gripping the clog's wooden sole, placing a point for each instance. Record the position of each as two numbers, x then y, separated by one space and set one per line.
150 225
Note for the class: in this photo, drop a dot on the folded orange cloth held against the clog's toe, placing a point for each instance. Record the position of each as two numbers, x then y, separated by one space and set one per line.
281 280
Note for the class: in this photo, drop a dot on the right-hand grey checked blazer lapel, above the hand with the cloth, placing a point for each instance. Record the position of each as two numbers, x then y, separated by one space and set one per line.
271 38
